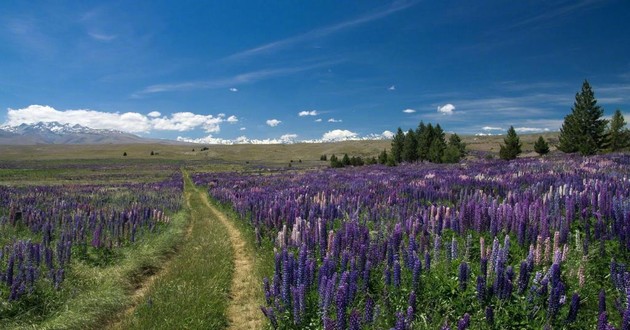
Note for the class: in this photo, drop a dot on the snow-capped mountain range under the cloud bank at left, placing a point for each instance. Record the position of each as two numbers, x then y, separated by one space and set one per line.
57 133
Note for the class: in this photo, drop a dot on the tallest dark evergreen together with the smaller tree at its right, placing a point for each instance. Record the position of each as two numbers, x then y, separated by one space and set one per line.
585 130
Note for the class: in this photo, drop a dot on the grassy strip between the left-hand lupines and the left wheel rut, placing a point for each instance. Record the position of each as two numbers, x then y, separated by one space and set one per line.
91 295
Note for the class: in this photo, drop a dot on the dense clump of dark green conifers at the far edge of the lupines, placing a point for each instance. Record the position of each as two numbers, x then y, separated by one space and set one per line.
426 143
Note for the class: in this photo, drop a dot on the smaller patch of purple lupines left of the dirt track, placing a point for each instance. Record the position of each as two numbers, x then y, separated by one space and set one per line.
47 232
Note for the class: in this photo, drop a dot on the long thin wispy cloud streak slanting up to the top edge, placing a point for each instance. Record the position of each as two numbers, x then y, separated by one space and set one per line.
323 32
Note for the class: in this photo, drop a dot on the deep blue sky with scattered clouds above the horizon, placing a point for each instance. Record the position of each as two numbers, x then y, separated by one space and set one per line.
220 71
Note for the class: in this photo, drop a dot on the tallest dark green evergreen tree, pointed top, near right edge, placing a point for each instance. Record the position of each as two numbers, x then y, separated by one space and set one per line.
583 129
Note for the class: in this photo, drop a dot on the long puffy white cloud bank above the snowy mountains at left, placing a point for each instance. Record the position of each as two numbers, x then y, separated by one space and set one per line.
132 122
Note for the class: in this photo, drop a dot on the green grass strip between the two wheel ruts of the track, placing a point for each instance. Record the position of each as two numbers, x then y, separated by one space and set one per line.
193 292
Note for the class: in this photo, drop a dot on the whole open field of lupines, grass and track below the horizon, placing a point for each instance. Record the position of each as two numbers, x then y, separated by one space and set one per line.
484 243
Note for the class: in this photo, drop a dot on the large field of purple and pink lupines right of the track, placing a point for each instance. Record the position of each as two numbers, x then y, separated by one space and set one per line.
533 243
